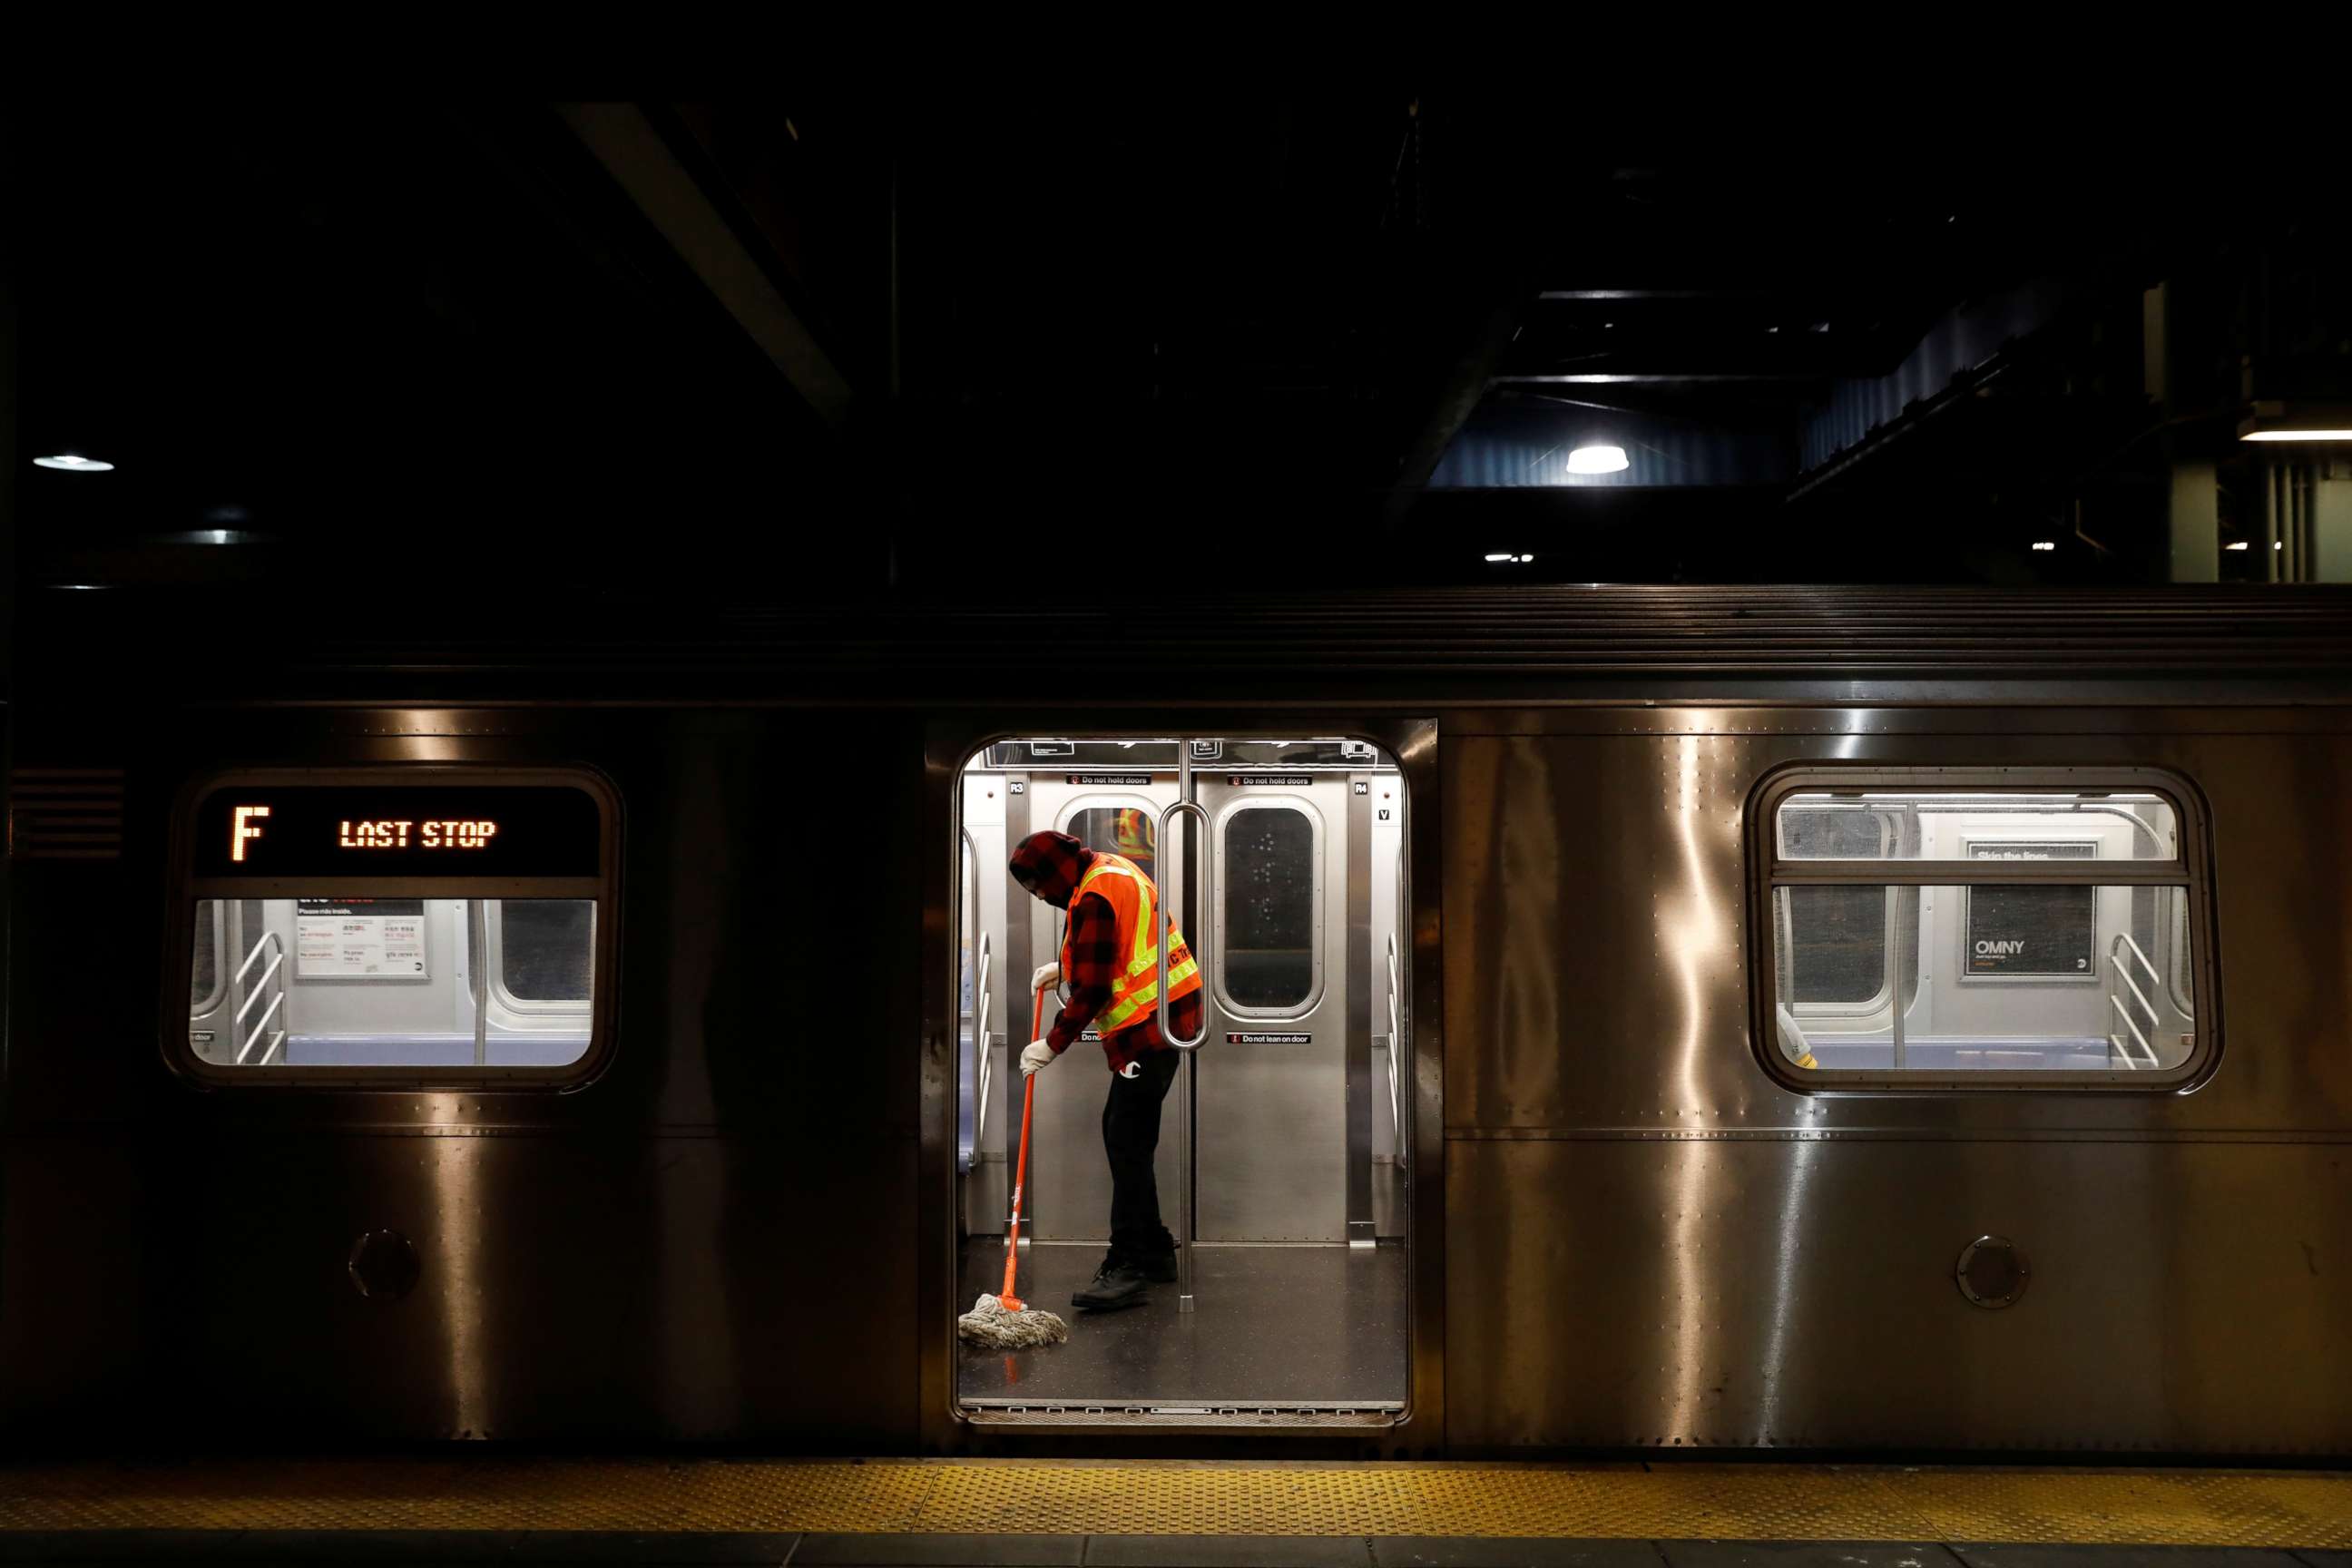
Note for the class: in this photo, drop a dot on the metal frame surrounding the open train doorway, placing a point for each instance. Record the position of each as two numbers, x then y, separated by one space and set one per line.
949 744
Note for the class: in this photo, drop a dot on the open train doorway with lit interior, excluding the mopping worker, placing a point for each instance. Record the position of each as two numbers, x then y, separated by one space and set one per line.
1285 1120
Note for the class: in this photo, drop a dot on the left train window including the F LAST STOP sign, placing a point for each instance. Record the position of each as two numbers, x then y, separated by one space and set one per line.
434 925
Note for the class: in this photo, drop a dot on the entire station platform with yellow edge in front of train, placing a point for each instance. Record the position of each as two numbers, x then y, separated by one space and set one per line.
1172 1515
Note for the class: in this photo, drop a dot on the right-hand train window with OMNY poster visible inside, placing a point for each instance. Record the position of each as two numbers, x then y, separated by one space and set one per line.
1932 925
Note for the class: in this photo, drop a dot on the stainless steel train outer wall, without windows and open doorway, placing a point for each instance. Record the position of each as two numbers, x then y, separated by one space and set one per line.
1631 1226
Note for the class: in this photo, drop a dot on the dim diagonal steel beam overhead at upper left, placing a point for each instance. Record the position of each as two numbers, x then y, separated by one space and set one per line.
634 152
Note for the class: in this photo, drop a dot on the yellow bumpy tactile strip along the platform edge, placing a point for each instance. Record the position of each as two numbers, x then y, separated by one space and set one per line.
1198 1499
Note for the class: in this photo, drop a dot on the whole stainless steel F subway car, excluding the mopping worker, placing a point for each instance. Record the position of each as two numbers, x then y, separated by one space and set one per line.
1633 1019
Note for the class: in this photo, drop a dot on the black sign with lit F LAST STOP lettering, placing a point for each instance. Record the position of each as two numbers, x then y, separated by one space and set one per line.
425 831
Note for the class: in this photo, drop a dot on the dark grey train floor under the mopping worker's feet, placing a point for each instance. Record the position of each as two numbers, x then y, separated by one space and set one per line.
1283 1327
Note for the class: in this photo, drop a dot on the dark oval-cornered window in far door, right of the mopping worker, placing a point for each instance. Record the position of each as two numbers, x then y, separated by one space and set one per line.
1271 904
